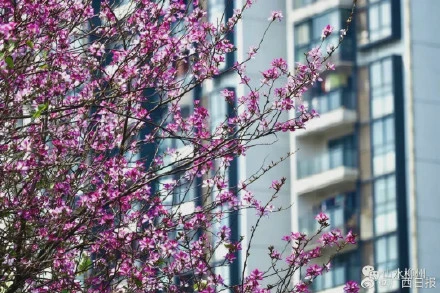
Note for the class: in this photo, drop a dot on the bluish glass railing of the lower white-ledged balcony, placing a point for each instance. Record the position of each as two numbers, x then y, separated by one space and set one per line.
330 160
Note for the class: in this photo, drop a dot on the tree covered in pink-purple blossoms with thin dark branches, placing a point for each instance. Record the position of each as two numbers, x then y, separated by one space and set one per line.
85 86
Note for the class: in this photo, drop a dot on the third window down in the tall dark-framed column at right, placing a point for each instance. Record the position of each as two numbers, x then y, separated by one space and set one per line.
385 210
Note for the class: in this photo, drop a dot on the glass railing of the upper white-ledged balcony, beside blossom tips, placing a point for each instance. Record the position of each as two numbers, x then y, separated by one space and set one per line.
340 98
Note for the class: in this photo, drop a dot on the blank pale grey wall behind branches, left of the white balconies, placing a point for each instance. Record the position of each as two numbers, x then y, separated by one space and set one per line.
271 229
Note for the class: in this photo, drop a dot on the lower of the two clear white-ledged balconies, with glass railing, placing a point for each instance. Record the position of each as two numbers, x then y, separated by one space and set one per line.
331 171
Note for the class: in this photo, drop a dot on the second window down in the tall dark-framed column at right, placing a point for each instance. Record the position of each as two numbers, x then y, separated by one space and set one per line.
384 156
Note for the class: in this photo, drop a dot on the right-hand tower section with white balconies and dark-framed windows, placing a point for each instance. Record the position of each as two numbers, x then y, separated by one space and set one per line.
371 161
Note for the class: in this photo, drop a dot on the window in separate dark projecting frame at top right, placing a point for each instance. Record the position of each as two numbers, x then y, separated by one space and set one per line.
375 21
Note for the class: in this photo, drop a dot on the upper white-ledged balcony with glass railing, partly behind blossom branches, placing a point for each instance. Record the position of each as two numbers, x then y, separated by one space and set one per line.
336 110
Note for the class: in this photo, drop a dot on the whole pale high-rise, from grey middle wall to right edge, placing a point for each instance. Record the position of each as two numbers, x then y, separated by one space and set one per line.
370 161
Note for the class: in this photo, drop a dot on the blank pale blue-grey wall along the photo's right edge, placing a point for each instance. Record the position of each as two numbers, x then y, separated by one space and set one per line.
425 72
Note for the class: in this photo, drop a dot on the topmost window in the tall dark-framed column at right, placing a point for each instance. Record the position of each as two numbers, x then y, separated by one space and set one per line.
382 98
